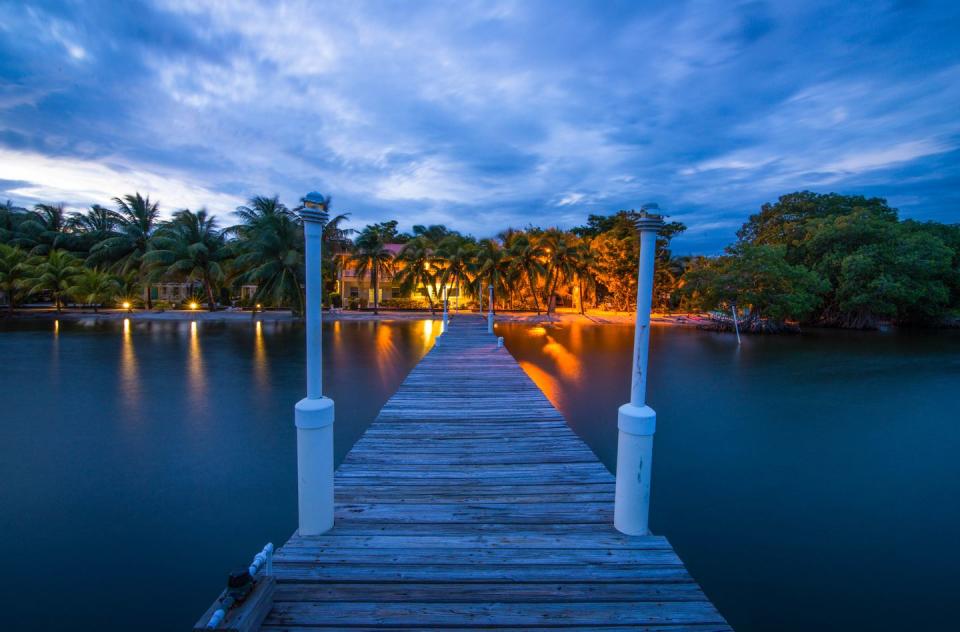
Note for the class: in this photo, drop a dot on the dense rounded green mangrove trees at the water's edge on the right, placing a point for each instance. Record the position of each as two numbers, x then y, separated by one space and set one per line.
831 260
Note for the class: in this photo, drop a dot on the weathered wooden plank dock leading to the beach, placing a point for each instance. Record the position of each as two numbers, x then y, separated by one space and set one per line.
469 503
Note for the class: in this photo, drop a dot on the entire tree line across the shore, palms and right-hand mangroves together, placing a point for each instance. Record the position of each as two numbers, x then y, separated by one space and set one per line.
821 259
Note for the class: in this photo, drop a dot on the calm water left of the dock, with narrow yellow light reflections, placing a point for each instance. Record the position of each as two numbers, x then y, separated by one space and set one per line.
142 461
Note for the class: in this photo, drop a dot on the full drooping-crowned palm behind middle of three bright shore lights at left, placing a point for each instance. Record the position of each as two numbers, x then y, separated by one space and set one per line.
189 247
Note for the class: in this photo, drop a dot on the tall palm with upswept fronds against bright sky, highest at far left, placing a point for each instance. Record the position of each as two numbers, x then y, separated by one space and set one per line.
136 218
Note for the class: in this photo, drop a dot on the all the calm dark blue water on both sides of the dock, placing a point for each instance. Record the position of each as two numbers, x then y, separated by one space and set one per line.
808 482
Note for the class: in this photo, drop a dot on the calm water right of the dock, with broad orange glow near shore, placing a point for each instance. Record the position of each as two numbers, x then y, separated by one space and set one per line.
809 482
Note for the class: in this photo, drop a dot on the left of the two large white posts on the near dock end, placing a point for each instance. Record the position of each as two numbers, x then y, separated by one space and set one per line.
314 414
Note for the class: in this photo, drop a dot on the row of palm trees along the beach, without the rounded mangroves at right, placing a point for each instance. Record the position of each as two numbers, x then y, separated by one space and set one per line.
104 255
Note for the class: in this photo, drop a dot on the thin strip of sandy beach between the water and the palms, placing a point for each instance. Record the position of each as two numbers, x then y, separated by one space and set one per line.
563 316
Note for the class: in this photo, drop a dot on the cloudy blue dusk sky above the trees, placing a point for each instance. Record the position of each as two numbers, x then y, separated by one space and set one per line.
483 115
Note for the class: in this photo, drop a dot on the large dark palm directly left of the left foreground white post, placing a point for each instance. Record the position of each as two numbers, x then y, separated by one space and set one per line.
270 248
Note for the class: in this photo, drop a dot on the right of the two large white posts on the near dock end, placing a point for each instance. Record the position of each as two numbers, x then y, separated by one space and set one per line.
636 421
